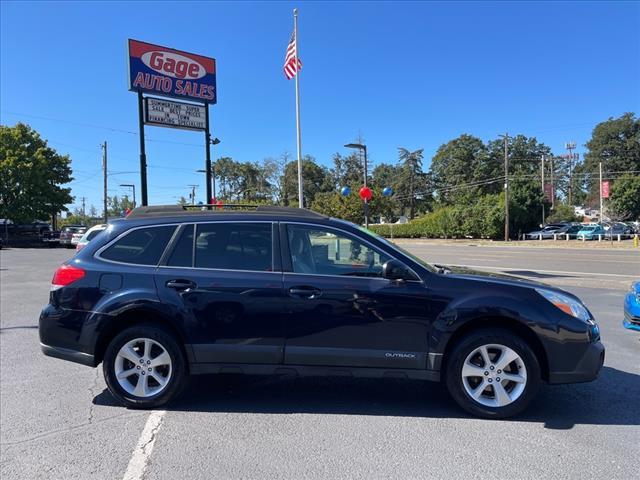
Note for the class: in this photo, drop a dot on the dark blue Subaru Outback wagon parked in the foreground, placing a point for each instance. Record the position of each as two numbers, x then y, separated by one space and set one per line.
167 292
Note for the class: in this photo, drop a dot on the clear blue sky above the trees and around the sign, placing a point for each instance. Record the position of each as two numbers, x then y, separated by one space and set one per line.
400 74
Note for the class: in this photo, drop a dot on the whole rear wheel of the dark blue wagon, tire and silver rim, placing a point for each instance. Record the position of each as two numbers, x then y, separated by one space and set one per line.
144 367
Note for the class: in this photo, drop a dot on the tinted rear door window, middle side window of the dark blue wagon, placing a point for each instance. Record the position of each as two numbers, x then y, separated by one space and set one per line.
240 246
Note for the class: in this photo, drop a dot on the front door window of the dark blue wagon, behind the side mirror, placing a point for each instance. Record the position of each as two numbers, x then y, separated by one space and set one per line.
319 251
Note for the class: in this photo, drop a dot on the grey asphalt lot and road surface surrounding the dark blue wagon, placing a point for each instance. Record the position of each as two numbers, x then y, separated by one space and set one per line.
57 420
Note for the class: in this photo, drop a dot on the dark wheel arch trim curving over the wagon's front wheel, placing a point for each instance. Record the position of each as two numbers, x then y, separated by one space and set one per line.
508 324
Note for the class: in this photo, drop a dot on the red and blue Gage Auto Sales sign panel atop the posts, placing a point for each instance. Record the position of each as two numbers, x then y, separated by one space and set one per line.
168 72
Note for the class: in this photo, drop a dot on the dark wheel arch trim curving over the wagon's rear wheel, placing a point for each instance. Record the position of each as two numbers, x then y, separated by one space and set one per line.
135 317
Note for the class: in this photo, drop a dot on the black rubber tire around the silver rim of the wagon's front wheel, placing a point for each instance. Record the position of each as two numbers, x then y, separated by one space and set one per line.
491 336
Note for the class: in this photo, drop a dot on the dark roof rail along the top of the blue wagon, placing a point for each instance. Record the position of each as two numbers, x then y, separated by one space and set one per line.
176 210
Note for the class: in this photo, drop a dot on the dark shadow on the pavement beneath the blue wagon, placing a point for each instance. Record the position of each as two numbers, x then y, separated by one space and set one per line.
610 400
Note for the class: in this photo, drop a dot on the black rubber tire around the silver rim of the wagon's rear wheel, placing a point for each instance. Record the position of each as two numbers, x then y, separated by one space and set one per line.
176 380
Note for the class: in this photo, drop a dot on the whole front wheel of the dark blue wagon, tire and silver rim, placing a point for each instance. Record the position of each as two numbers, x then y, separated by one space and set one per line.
493 373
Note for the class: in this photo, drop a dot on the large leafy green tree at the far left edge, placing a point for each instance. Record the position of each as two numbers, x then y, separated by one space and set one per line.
32 176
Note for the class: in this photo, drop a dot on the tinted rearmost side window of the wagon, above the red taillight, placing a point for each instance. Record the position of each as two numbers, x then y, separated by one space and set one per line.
143 246
